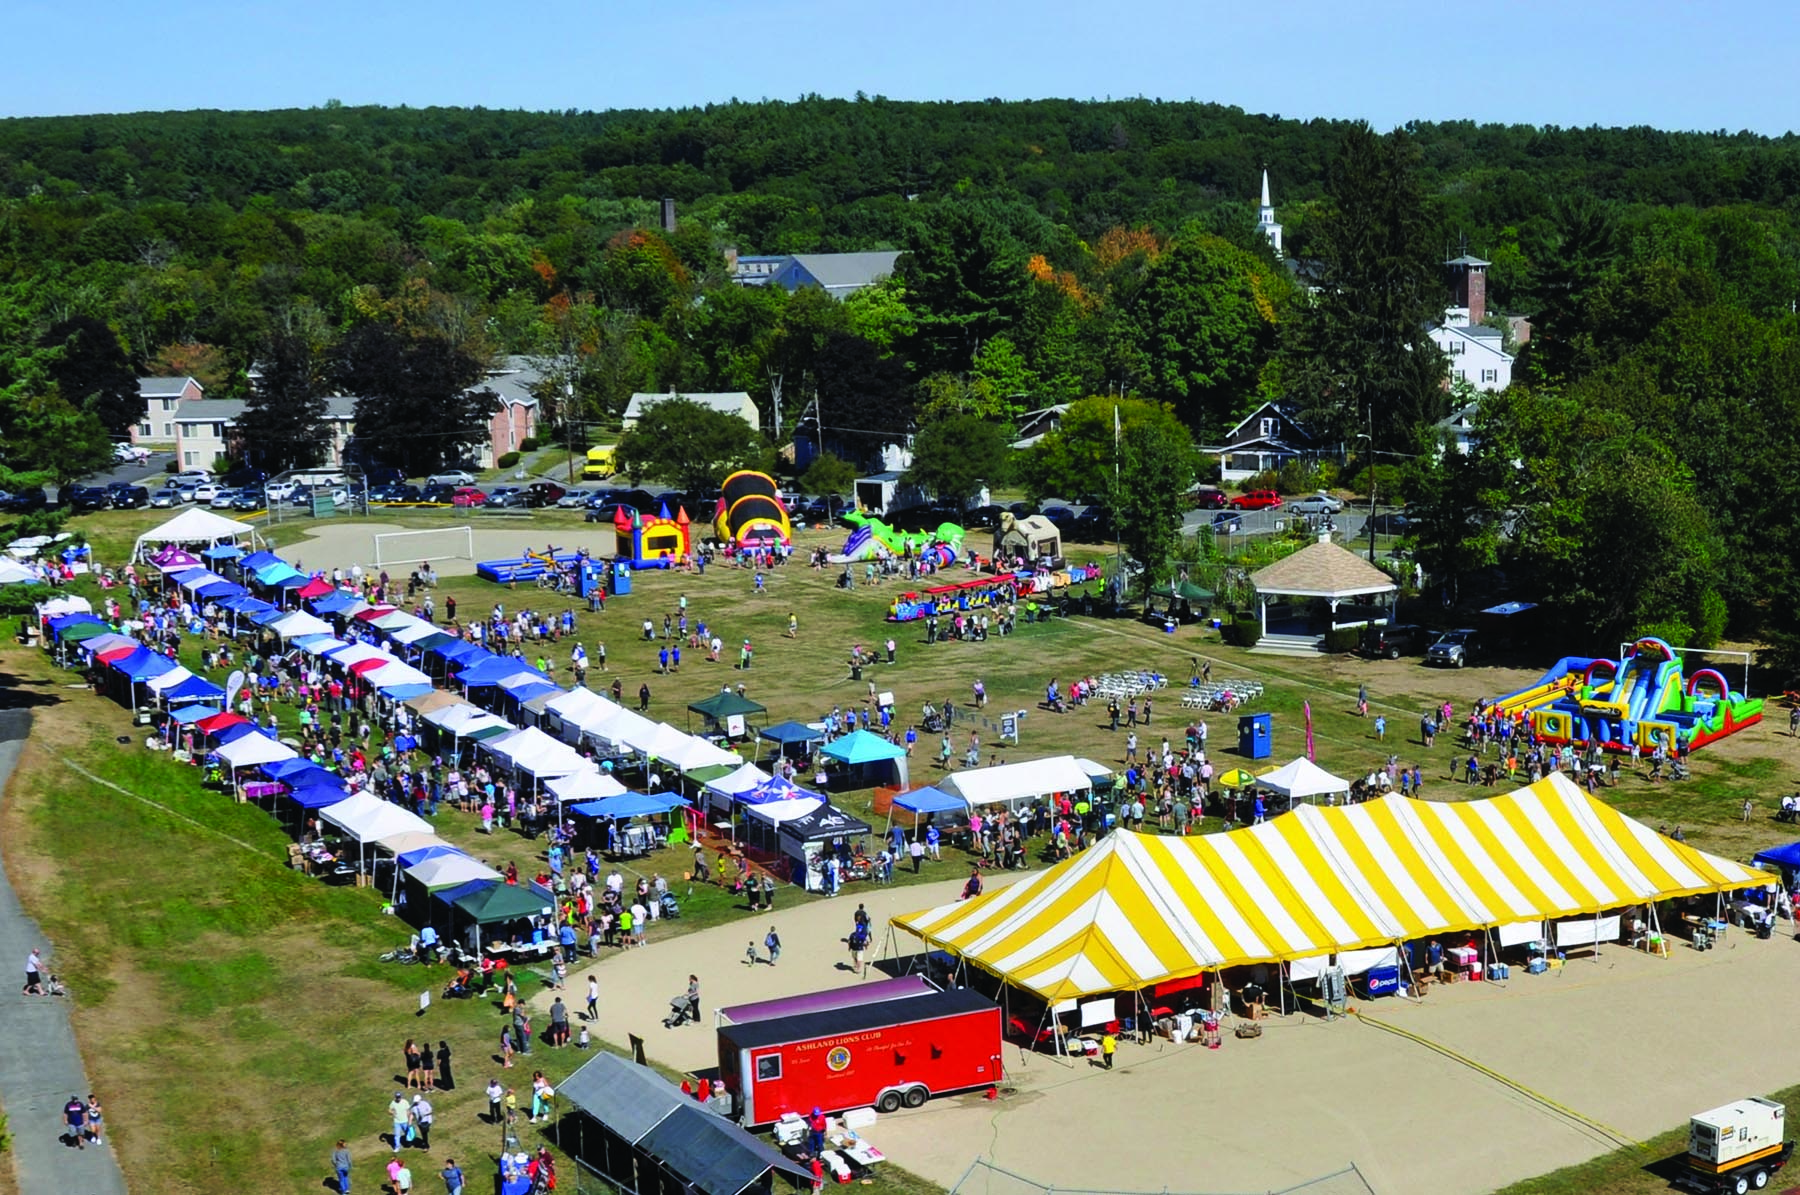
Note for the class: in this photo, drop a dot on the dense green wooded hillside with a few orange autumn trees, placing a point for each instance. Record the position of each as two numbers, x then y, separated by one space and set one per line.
1637 472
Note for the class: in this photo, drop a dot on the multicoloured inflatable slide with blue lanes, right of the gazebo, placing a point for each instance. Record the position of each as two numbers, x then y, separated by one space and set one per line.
1639 699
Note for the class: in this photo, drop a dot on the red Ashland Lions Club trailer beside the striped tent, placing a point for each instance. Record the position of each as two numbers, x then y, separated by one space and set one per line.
888 1054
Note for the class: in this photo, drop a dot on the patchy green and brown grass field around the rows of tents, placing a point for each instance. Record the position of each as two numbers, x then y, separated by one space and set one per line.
233 1012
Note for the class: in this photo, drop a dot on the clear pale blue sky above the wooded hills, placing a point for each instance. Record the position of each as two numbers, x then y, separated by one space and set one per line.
1574 62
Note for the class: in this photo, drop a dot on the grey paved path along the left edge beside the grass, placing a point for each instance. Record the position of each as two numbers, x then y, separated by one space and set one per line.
40 1066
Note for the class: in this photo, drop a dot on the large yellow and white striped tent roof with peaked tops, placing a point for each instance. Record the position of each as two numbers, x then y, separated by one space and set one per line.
1138 910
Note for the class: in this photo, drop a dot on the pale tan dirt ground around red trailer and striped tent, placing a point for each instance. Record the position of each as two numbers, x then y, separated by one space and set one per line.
1630 1041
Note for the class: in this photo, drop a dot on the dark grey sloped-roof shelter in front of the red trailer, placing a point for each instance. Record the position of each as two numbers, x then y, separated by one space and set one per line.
643 1137
